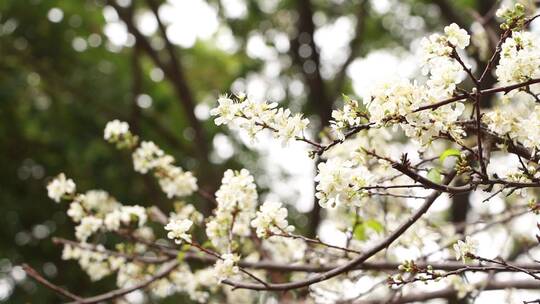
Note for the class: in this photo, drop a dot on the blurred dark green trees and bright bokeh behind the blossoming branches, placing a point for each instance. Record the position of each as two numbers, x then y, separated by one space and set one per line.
68 67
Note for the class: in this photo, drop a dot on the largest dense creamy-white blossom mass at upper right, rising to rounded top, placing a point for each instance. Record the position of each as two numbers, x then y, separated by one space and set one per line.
396 101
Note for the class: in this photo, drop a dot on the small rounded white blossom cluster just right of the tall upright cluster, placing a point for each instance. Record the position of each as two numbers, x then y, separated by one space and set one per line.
271 219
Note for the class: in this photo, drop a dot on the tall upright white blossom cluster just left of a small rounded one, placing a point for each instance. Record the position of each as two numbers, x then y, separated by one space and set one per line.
236 199
